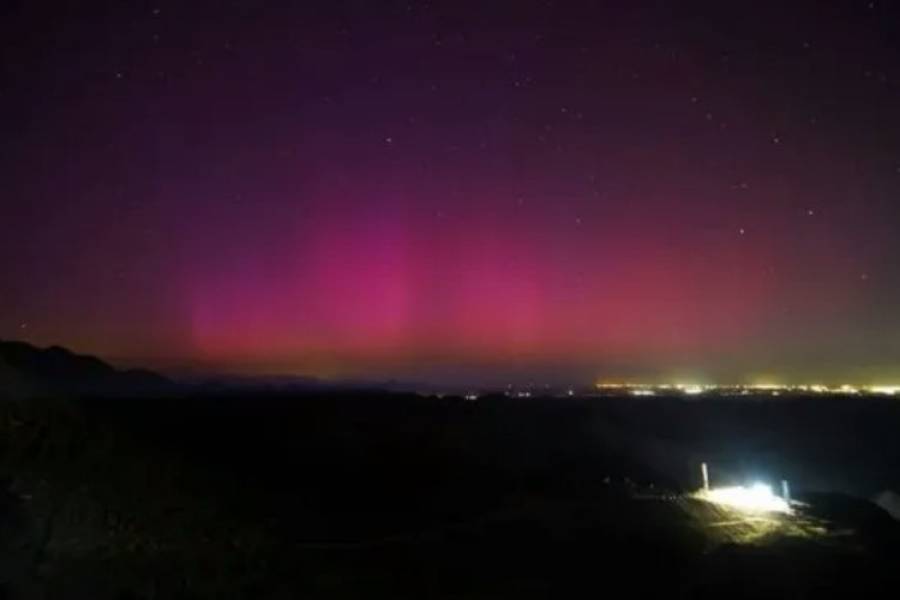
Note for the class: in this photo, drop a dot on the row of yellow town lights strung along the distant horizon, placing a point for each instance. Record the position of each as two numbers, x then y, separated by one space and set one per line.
692 389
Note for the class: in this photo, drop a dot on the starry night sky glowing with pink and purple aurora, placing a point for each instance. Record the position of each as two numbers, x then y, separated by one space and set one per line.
456 189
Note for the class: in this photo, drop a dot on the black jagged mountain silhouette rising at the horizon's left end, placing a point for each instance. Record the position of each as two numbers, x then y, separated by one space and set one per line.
26 370
